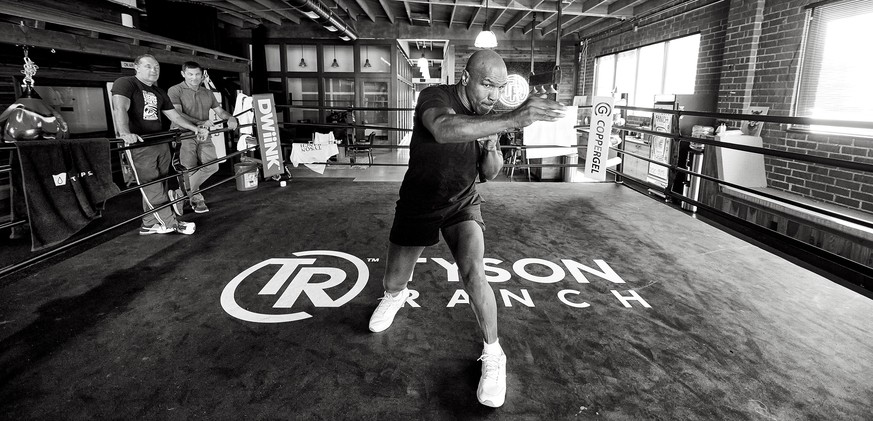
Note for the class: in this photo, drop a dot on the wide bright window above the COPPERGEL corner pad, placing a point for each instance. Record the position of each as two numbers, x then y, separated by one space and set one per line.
664 68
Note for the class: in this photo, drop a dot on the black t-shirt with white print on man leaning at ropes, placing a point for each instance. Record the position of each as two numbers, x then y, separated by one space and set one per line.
146 104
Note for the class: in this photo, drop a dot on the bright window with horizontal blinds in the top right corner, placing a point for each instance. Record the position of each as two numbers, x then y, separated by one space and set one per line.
835 80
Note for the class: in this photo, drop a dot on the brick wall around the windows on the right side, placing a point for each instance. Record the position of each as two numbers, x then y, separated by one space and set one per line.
749 55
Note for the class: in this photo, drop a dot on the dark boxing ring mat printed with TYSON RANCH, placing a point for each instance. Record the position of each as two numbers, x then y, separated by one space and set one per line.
153 327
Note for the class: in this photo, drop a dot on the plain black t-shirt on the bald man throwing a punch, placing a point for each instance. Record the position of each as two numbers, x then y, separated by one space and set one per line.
439 174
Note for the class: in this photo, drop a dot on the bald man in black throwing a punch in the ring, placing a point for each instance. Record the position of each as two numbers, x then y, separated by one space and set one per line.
454 141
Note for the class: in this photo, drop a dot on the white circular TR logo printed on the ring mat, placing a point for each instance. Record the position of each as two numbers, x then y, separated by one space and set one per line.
306 278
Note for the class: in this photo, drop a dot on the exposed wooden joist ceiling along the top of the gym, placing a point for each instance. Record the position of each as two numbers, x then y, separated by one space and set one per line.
580 17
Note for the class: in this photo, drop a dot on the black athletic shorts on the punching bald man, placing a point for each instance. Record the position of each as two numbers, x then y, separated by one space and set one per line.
422 228
